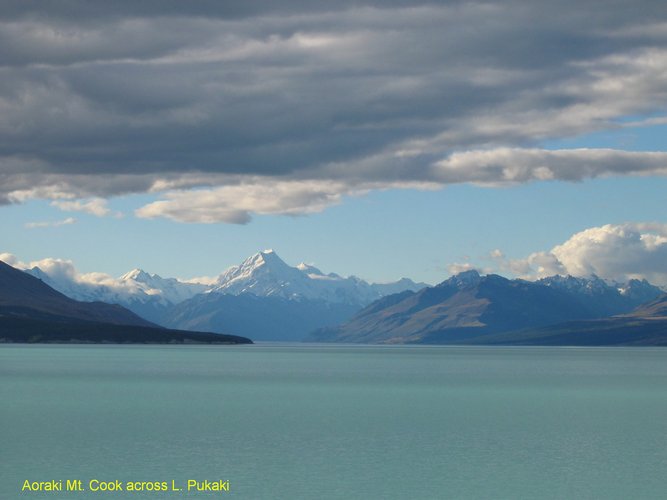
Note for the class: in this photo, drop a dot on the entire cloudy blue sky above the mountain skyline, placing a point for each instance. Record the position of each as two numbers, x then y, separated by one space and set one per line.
376 139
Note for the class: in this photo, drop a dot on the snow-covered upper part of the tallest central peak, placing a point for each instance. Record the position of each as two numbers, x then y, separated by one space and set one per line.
267 275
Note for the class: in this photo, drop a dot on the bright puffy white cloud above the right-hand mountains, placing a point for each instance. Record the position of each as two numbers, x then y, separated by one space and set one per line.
613 251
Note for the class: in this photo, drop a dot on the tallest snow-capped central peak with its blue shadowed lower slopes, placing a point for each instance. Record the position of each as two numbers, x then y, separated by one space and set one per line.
269 300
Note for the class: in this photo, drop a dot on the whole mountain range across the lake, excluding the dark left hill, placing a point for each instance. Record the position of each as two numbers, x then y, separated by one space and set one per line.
263 298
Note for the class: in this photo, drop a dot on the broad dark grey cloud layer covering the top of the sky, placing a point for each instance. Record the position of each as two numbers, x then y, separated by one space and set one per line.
105 98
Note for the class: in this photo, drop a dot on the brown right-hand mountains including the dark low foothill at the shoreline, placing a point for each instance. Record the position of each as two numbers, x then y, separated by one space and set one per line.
473 309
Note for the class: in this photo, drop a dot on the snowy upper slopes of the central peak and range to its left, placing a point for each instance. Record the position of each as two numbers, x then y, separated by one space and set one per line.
263 275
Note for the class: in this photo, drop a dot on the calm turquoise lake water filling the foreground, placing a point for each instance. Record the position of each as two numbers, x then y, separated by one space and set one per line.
301 421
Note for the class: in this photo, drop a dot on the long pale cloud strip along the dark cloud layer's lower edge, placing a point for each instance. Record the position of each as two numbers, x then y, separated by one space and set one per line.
237 202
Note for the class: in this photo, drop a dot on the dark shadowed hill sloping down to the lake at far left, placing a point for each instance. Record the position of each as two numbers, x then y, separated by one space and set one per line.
32 311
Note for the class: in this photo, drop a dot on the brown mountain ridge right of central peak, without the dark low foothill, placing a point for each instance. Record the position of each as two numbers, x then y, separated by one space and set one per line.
468 306
